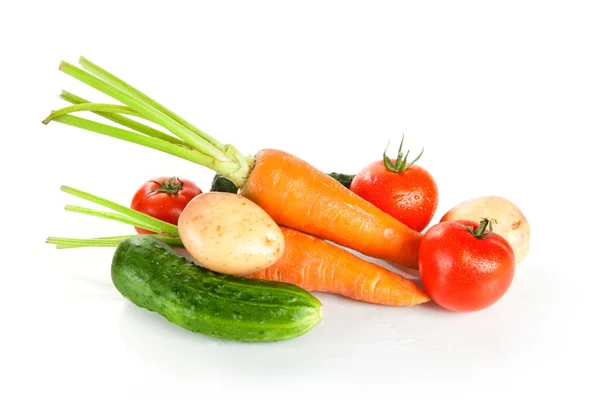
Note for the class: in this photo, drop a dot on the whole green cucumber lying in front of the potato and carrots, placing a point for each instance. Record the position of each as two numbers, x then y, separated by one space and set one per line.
153 276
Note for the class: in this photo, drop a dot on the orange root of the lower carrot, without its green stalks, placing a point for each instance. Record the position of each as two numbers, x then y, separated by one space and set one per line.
315 265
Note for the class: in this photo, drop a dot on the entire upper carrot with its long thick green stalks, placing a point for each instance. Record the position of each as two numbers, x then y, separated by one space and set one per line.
292 191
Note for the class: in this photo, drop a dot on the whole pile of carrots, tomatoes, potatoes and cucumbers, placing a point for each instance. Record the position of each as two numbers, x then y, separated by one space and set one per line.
273 228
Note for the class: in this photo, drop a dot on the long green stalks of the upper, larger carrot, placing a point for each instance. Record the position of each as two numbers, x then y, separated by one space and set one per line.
183 139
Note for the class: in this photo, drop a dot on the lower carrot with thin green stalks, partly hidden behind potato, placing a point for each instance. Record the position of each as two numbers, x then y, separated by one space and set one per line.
308 262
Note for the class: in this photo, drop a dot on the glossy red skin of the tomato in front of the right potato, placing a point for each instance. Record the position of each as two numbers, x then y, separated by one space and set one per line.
461 272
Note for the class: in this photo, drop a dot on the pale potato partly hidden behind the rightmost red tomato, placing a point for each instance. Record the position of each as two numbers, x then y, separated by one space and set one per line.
511 223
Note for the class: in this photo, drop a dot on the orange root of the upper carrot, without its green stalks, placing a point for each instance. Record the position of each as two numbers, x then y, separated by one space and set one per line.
297 195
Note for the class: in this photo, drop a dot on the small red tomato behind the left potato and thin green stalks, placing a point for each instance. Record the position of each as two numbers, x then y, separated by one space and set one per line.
164 198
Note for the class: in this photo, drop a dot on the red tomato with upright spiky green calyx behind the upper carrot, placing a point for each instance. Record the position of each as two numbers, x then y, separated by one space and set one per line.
400 188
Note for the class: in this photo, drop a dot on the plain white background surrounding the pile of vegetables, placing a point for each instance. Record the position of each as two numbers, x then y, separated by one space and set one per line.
503 96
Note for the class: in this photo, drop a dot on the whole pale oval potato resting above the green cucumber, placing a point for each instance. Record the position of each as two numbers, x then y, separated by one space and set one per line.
230 234
